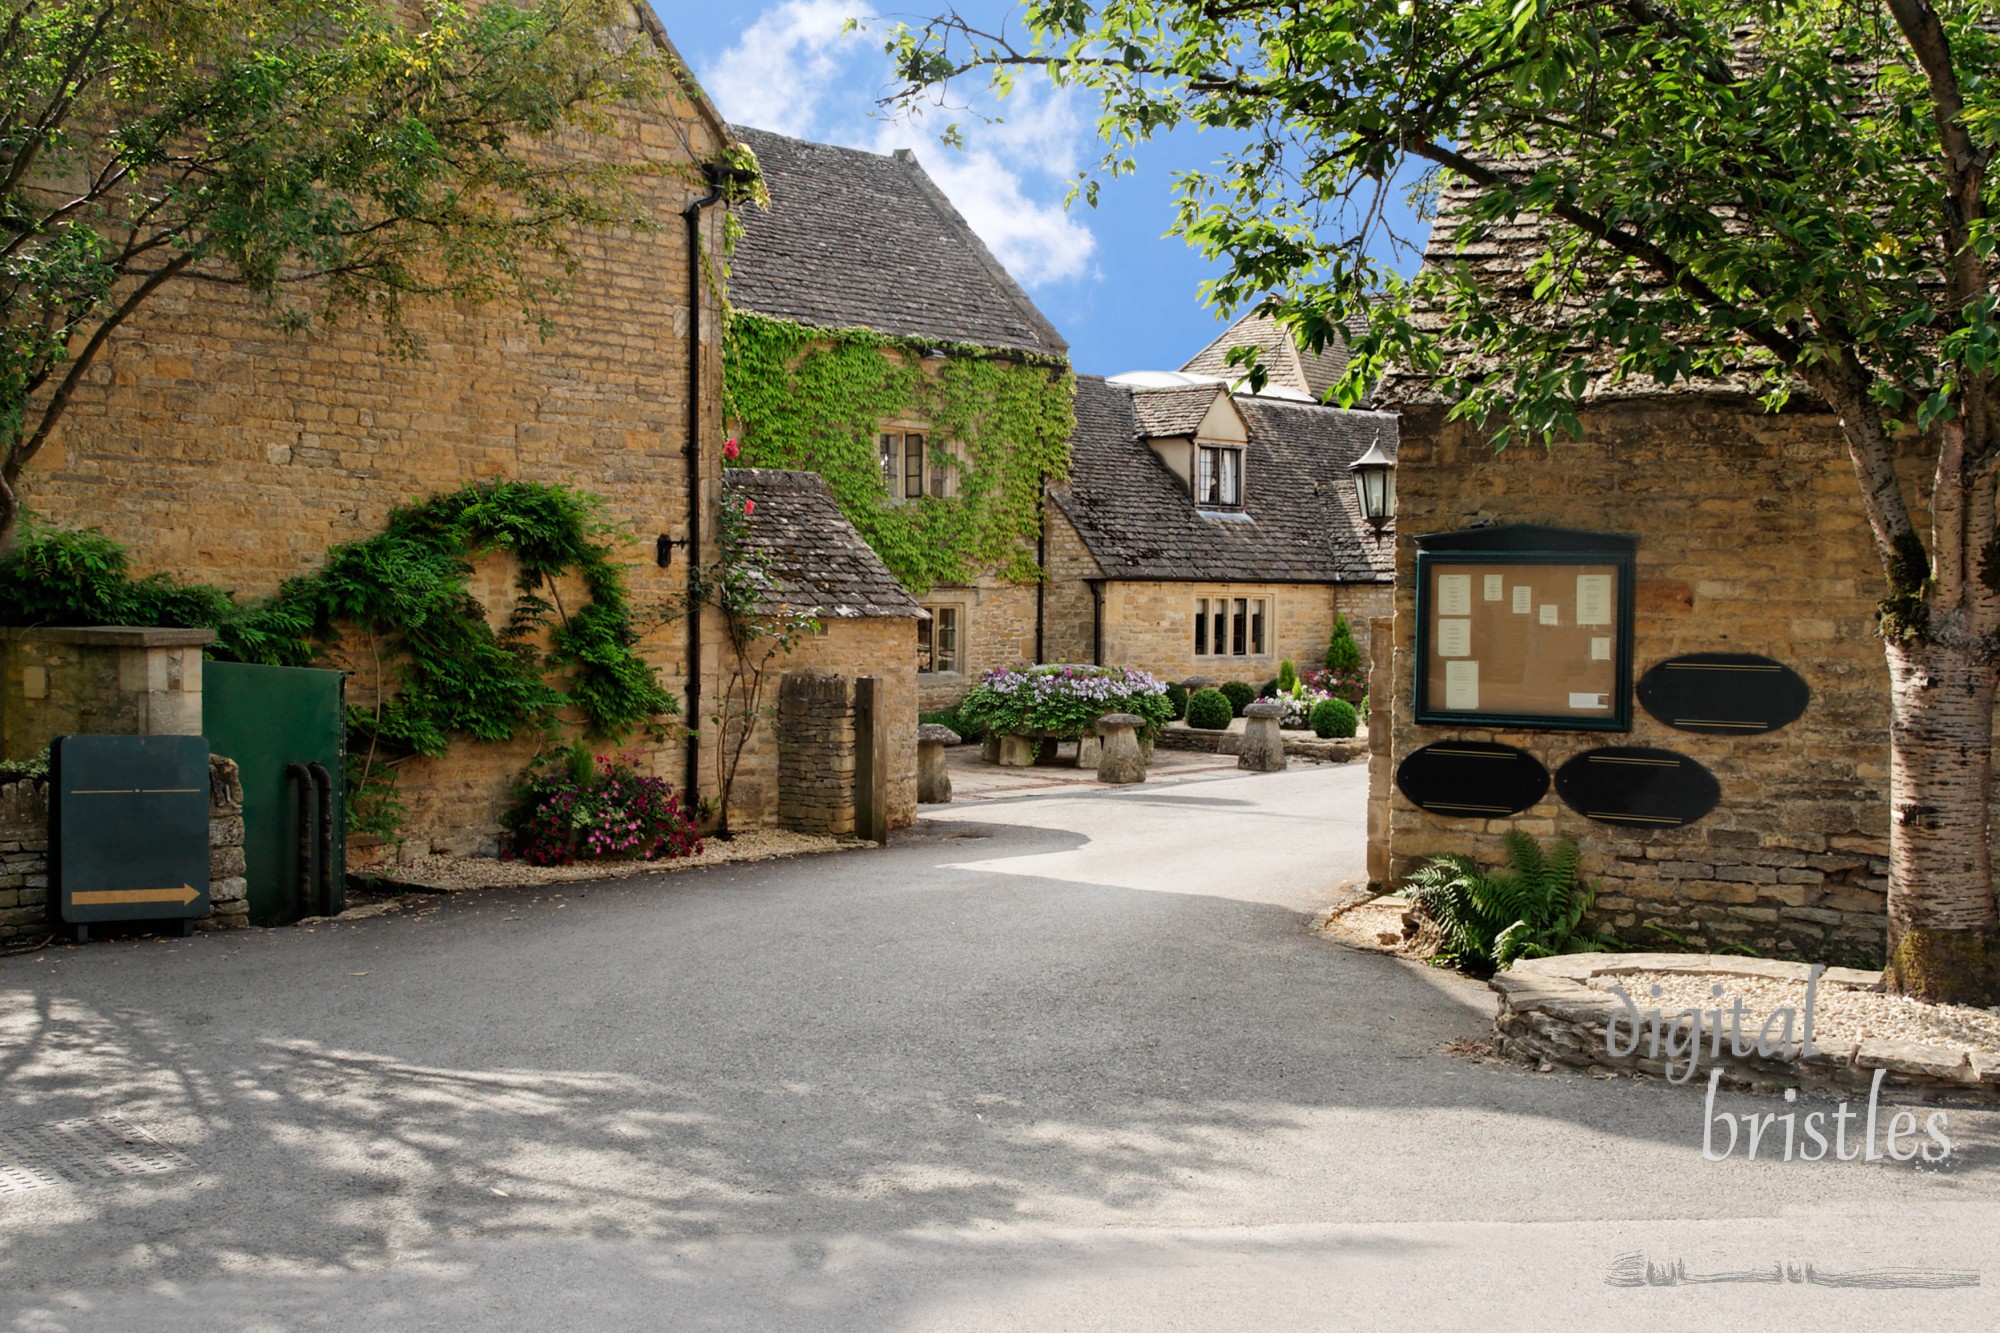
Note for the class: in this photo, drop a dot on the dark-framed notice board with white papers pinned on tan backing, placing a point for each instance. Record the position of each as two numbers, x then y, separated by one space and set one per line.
1525 641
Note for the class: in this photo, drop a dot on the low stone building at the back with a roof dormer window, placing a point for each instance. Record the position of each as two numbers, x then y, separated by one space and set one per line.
1207 533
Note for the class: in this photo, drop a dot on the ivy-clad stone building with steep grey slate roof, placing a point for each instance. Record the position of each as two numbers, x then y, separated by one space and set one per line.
863 249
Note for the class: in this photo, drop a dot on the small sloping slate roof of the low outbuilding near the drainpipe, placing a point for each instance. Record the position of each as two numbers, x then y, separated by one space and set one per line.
819 559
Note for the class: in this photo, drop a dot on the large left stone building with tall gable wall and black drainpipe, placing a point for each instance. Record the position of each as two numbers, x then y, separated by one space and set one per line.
221 449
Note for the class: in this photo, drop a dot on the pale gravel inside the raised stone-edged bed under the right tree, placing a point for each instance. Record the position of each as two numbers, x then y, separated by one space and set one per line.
1839 1014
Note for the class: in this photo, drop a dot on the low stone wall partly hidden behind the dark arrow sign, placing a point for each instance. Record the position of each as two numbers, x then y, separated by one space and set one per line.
25 856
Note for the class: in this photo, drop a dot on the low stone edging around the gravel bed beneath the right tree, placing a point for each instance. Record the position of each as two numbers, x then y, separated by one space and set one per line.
1551 1014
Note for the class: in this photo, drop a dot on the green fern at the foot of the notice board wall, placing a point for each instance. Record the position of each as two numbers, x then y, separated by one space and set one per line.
1487 922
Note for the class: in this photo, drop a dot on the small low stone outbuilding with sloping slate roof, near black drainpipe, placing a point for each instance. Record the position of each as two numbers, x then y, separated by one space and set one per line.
869 627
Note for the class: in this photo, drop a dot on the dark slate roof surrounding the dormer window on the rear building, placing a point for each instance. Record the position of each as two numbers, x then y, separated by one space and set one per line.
1301 519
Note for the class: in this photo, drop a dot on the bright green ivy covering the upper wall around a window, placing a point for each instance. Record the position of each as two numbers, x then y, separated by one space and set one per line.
817 399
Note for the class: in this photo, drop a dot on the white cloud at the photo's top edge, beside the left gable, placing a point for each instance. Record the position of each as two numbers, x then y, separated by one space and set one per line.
787 63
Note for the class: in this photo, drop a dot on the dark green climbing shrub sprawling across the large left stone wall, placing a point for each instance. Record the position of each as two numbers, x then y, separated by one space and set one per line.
439 668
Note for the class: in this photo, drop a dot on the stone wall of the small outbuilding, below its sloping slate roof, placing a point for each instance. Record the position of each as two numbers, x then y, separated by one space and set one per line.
847 649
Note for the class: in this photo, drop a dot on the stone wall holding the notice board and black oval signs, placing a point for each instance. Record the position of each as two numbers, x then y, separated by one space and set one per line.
1751 539
